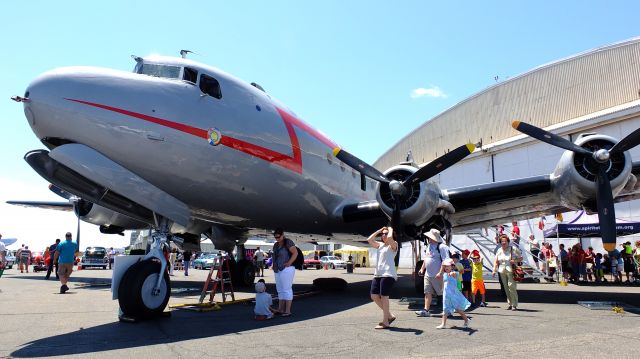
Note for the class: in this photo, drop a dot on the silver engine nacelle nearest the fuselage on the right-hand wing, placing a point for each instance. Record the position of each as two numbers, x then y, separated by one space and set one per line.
419 205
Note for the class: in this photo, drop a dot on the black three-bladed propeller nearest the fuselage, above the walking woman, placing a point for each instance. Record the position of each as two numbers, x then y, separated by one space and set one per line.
399 189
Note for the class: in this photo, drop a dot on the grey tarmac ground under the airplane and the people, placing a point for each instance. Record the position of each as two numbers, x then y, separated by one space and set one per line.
37 321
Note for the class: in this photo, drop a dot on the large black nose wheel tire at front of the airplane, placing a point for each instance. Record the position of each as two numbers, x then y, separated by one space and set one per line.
142 276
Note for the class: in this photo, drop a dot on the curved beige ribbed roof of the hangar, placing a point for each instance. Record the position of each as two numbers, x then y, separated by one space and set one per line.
548 95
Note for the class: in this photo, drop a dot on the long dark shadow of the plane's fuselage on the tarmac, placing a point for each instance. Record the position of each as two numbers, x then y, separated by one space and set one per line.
185 325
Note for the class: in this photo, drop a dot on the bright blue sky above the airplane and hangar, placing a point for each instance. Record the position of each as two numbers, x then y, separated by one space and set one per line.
366 73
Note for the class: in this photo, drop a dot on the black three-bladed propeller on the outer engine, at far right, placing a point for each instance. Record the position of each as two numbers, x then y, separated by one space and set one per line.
600 161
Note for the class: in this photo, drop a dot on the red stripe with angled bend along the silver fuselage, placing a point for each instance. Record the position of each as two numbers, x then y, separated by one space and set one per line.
291 163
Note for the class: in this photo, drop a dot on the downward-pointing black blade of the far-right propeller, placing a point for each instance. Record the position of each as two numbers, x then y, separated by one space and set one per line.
606 210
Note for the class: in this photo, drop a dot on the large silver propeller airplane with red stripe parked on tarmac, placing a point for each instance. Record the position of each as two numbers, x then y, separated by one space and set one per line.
191 151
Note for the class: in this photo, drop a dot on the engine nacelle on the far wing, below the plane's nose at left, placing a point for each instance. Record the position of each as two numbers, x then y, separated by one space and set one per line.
104 217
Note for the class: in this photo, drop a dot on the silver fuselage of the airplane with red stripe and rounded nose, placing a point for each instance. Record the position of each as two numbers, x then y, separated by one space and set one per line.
269 169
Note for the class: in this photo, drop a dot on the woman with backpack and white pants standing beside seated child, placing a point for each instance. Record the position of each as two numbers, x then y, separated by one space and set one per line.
285 254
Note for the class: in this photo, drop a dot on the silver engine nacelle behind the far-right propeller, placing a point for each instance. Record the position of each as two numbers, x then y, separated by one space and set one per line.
574 178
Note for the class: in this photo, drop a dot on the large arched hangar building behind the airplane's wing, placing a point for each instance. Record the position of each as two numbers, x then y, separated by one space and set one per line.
594 91
